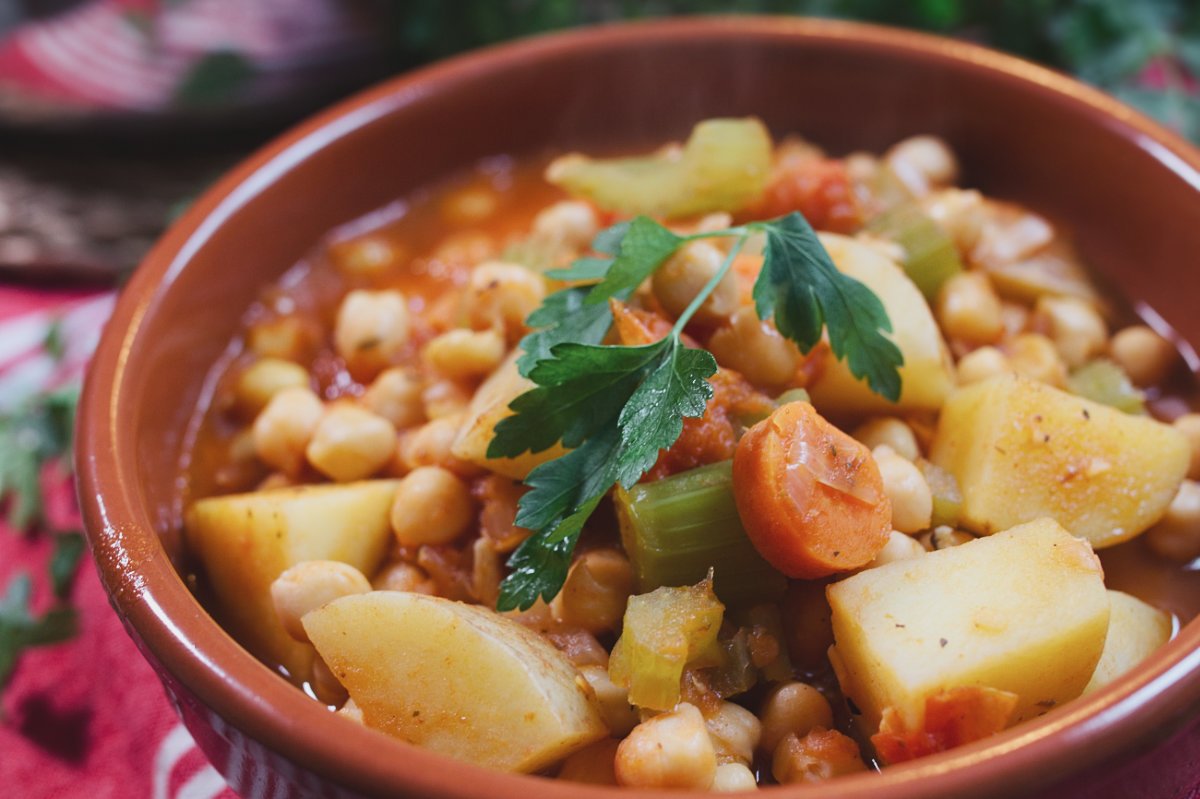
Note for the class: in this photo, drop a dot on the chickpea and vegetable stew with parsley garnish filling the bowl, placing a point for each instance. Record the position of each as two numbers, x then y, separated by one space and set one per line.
727 466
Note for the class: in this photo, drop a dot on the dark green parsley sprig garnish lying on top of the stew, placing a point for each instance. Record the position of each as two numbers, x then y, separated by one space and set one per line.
616 407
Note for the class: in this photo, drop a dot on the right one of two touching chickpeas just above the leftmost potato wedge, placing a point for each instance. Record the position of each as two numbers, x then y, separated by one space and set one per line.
351 443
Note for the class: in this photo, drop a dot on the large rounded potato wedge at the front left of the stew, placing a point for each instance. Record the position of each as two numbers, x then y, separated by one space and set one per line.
457 678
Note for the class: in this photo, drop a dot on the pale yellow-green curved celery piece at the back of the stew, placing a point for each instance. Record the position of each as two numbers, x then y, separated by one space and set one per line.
723 167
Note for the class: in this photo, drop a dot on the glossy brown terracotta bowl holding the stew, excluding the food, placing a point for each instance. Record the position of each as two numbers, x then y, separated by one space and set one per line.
1130 190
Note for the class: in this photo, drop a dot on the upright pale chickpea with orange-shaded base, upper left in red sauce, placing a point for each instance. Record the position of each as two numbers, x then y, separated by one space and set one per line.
373 331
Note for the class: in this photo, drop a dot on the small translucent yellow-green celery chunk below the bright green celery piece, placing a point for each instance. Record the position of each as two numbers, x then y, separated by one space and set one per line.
662 634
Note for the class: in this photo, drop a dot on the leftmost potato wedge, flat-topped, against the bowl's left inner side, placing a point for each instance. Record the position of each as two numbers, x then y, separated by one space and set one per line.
245 542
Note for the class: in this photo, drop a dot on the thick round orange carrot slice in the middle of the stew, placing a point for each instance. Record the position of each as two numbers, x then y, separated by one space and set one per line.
811 497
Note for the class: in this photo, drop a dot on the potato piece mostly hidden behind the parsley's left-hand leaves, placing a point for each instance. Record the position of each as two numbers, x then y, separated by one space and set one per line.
489 407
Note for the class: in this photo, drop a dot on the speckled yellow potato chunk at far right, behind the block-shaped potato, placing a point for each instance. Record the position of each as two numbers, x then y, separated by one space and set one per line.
1022 450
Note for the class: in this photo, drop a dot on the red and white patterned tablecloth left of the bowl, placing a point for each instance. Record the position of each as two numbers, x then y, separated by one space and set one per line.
86 719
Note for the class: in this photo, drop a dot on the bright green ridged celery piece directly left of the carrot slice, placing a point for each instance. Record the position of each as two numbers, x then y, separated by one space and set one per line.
676 530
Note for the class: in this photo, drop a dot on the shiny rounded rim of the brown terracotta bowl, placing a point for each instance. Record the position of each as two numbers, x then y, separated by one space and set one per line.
1131 716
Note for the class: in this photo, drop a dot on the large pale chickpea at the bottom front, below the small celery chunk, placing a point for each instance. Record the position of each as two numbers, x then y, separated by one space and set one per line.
671 750
